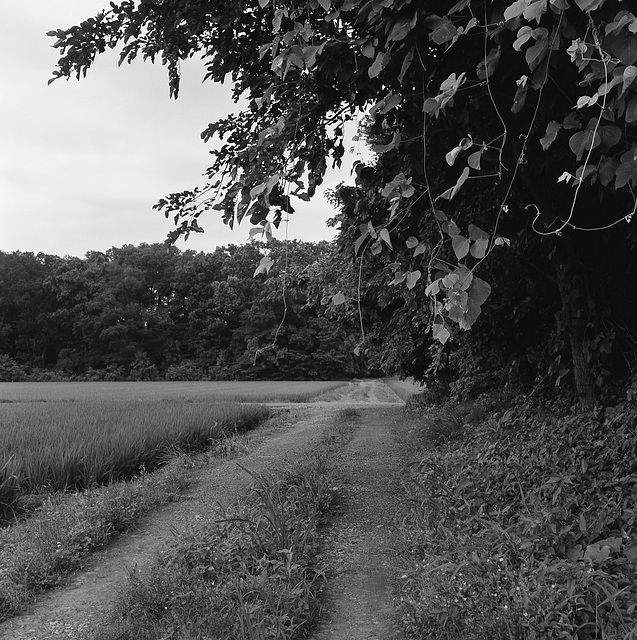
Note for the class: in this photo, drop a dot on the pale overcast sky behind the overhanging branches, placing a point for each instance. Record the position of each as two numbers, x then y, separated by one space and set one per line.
82 163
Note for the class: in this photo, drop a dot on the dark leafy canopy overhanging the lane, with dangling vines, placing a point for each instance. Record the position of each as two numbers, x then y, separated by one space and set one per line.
494 123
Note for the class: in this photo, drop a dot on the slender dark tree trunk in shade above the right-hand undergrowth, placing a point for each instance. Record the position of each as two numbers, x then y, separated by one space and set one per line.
574 323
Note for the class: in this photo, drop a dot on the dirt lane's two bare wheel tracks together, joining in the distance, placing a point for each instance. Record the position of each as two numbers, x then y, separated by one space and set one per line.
360 558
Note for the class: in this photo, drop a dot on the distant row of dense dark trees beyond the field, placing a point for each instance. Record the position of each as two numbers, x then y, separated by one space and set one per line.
155 312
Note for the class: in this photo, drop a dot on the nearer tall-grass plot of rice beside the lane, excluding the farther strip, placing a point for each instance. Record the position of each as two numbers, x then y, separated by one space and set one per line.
72 445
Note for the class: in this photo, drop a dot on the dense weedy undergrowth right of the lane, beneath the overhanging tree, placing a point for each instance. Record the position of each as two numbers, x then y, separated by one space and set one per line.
526 528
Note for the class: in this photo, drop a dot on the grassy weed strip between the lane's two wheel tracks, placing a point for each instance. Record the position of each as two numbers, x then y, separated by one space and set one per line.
253 574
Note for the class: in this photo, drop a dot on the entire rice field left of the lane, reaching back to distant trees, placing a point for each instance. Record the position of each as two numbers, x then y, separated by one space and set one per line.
60 436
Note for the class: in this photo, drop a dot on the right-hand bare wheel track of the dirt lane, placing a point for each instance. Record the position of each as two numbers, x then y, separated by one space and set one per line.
360 540
